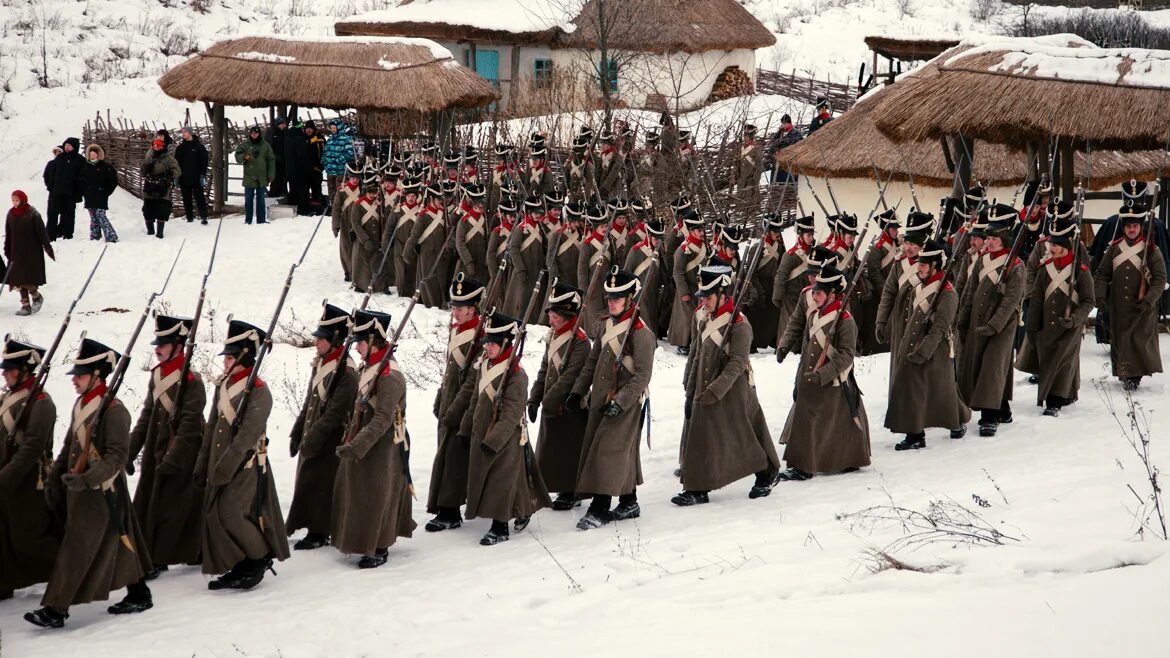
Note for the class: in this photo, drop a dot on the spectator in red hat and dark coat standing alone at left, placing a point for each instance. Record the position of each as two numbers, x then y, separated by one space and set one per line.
25 243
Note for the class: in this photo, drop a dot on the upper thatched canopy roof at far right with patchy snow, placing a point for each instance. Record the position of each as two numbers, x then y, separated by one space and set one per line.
1114 98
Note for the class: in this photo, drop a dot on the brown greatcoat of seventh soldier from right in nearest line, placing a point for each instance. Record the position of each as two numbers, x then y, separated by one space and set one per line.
611 464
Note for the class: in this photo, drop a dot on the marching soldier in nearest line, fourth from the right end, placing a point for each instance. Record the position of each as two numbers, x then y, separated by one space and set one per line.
923 389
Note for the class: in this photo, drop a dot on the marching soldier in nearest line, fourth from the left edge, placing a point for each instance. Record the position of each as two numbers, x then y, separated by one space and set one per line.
244 530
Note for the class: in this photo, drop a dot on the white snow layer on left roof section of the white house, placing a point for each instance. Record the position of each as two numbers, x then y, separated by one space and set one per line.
517 17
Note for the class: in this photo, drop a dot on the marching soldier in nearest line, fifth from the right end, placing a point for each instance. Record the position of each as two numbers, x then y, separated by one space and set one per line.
827 430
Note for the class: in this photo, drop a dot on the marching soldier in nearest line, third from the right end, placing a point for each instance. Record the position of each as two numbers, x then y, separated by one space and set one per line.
988 316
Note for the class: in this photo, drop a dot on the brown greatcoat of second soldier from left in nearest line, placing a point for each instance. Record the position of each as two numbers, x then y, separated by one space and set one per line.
93 561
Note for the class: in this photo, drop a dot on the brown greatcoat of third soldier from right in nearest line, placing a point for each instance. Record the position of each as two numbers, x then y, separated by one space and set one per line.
986 364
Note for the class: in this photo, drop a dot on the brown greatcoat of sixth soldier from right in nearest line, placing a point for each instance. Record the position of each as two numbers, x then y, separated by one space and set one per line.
727 434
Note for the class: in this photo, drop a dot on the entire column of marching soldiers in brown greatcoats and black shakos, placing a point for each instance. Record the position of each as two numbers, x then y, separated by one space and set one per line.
595 272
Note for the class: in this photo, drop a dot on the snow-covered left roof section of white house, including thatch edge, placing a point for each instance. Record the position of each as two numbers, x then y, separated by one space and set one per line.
521 23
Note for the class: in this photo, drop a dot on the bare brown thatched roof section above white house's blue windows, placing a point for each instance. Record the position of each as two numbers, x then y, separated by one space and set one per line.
671 26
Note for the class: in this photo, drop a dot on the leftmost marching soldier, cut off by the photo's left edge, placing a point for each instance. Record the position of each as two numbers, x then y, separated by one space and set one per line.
27 542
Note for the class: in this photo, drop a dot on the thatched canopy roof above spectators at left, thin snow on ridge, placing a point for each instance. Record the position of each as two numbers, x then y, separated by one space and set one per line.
376 74
